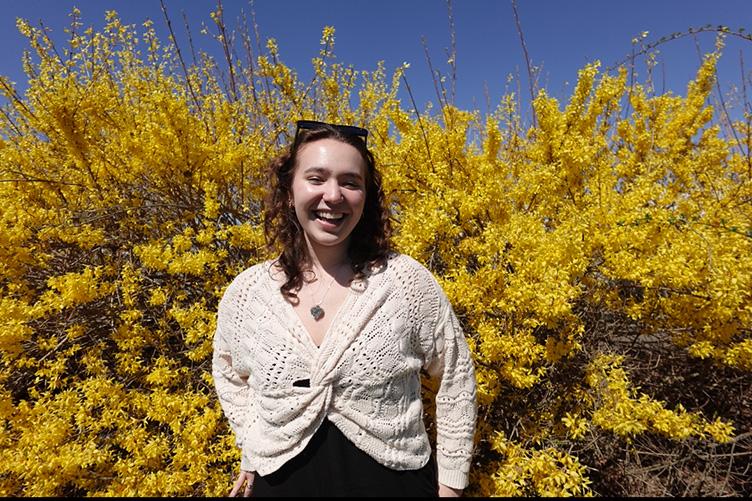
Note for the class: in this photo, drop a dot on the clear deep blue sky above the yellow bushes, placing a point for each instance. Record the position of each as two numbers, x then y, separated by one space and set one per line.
561 36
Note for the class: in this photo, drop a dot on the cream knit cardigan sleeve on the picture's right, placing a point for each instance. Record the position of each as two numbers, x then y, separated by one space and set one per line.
450 361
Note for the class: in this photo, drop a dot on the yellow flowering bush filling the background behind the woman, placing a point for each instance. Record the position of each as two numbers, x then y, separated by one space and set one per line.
600 263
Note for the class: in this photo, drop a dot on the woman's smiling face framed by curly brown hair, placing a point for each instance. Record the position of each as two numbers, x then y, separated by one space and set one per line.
329 191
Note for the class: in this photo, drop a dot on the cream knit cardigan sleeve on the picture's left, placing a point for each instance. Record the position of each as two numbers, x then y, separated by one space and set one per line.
229 375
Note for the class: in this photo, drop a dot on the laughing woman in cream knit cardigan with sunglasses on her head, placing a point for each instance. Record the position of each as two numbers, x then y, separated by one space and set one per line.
318 354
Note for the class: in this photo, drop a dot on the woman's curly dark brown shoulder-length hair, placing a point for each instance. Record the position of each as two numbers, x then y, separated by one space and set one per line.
370 240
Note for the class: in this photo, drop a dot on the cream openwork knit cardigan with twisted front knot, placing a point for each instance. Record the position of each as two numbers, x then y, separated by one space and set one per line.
276 386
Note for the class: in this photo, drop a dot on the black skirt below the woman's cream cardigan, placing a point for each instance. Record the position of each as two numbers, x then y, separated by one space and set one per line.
331 465
